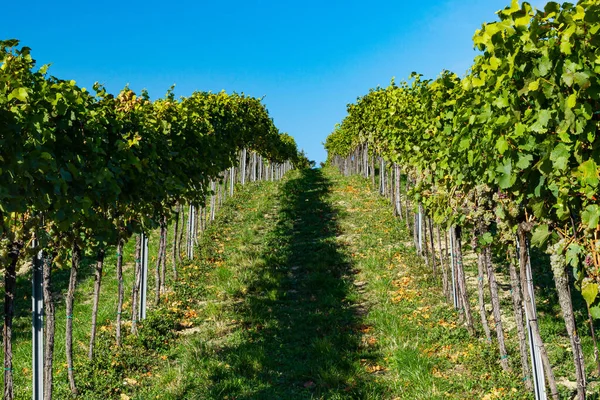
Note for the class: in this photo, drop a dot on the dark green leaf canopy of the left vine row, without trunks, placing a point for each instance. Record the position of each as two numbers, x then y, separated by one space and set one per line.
97 166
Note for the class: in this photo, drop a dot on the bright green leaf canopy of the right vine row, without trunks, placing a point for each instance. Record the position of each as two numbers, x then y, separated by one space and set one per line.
521 129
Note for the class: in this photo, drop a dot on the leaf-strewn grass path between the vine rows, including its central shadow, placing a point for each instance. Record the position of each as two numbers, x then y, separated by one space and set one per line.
304 290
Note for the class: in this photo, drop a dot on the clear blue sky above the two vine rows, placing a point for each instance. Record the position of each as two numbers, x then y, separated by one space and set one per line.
309 58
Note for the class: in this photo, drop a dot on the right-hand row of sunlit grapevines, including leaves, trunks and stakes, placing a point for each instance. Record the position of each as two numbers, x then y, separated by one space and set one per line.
507 156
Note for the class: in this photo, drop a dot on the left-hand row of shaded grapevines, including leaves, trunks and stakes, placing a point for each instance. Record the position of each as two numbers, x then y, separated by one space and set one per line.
83 172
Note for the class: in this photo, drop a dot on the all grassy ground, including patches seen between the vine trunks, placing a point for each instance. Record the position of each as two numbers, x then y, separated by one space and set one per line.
306 288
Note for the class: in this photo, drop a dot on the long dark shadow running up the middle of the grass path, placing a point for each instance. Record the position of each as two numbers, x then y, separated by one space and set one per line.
300 338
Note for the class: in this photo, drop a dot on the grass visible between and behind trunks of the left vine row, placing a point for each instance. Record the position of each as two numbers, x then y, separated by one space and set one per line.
82 321
